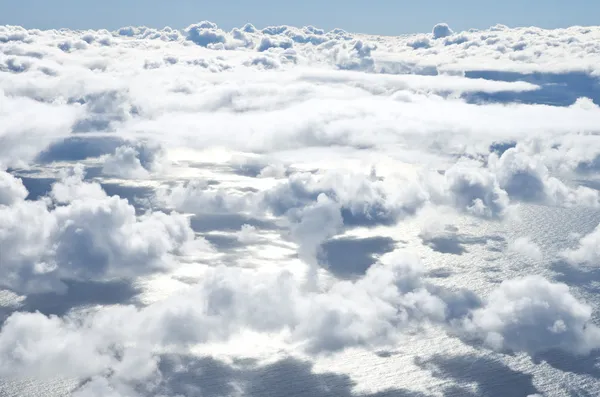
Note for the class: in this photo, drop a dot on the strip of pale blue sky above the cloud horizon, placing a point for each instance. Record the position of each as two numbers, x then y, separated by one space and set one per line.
375 16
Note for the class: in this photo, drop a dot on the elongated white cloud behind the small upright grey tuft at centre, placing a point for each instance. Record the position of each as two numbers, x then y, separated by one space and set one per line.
361 199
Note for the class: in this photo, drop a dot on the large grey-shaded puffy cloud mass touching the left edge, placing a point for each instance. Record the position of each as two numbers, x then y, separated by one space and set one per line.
81 233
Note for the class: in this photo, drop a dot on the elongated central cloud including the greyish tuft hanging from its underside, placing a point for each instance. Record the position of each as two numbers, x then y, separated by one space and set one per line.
315 207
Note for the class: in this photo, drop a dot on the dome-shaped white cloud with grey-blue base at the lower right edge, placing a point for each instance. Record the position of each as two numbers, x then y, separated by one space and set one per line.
534 315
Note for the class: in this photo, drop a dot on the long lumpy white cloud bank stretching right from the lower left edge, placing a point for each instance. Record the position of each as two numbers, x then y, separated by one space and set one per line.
371 311
